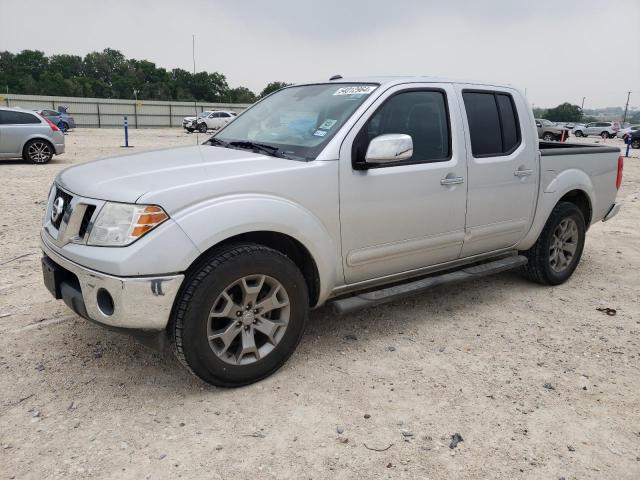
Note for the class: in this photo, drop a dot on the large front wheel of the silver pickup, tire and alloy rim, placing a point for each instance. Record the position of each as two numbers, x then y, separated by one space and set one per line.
240 315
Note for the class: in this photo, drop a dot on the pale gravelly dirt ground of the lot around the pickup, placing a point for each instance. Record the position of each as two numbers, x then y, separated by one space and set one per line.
538 383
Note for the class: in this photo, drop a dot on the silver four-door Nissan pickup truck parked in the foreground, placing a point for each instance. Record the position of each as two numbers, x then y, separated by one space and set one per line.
348 192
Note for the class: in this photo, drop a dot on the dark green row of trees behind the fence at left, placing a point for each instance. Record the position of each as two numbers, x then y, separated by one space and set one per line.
109 74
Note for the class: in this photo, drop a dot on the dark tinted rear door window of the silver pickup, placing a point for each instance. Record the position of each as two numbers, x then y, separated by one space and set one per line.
493 123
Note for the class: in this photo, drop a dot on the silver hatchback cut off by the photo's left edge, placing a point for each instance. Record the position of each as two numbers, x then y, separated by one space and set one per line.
28 135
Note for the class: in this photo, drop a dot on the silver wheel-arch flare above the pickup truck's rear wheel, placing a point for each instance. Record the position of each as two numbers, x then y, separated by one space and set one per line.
553 187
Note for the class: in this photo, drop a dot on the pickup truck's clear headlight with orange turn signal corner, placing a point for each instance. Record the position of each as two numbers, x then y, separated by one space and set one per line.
120 224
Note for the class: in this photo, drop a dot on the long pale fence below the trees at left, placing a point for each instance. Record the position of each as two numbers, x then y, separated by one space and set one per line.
105 112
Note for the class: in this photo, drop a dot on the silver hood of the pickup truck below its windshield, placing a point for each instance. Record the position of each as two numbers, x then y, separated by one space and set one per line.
150 174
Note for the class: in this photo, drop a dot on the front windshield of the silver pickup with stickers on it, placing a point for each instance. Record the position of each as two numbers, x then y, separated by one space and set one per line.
295 122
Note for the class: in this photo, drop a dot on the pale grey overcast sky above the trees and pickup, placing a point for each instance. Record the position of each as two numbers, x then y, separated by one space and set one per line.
558 50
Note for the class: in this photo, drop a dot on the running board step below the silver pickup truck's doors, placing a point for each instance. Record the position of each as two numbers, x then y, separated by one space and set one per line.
384 295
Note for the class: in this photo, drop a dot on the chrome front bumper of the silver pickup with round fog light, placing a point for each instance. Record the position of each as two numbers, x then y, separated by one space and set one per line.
140 303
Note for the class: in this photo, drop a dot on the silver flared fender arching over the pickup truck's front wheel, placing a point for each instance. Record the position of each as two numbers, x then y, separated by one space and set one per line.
212 222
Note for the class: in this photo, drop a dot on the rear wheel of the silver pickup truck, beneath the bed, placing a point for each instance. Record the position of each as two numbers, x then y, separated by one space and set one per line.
557 252
